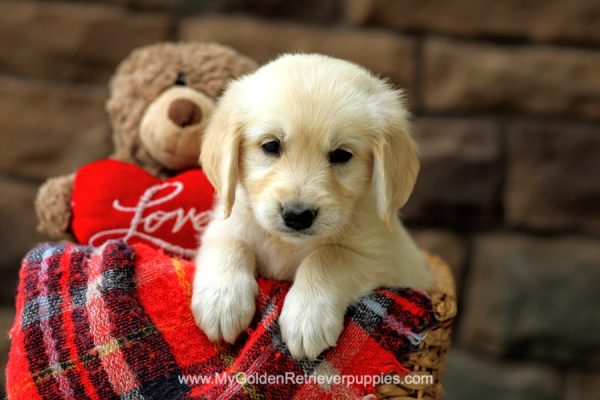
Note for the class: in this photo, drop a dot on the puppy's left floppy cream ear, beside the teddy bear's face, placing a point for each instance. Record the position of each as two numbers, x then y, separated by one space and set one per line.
219 155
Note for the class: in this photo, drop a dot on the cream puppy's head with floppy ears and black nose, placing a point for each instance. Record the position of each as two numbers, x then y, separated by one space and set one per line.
306 137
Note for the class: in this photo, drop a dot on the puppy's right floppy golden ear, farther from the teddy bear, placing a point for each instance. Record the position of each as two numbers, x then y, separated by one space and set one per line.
395 157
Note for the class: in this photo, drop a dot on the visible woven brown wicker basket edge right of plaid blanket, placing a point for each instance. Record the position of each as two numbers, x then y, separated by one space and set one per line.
429 360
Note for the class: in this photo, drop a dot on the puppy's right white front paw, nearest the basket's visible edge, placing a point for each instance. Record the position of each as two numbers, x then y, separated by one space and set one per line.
309 324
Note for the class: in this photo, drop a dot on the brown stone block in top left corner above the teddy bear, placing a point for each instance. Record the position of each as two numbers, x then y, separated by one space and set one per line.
72 41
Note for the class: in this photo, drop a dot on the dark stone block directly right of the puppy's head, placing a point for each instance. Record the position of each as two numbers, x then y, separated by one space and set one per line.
461 172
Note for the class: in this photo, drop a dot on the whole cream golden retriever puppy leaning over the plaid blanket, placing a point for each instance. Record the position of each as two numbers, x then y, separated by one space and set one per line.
311 157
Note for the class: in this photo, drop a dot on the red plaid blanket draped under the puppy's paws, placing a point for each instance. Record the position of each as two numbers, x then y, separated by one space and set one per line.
114 322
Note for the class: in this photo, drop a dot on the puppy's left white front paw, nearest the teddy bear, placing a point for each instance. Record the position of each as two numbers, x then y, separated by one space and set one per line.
225 306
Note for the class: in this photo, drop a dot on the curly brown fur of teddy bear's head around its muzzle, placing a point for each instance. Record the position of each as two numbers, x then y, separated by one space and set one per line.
148 72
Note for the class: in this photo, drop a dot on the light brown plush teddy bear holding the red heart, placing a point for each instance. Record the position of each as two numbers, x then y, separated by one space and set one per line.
160 99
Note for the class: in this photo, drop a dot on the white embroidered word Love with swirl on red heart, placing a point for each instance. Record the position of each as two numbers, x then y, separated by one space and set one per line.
144 225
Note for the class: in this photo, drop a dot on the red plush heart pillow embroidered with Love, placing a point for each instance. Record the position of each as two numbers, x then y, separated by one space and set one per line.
116 200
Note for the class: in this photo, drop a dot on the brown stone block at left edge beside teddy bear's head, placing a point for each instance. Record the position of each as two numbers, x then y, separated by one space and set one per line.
50 129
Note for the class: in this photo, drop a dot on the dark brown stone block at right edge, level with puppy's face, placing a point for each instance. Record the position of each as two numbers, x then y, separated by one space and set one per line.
552 181
